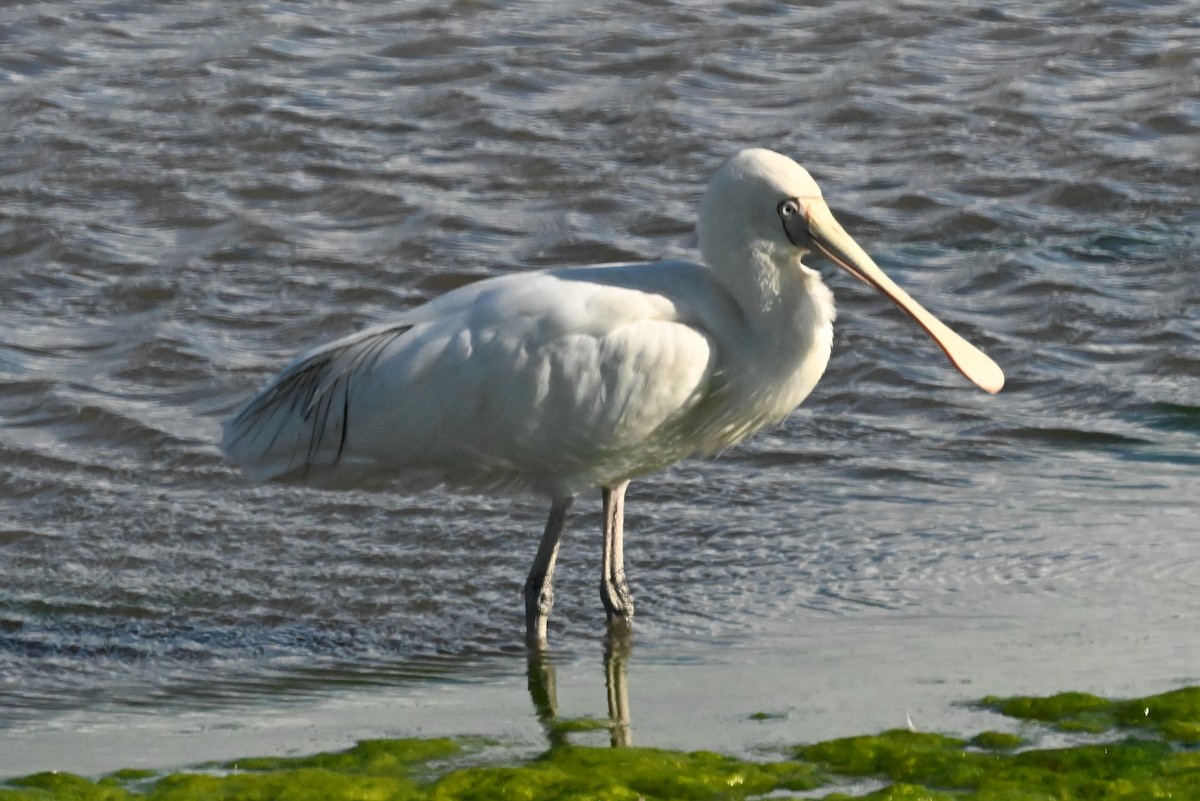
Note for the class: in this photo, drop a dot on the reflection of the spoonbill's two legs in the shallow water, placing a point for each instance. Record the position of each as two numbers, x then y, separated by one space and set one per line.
544 690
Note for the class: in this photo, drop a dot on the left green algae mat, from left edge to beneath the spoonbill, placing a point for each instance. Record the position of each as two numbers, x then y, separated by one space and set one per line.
386 772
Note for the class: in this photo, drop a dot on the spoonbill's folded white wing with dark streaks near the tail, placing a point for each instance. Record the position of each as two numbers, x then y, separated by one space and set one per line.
551 381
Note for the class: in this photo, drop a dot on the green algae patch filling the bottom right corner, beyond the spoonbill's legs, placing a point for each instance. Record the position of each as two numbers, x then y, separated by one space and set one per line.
993 768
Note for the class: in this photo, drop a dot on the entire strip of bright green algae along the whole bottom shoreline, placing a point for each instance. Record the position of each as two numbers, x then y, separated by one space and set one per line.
1133 749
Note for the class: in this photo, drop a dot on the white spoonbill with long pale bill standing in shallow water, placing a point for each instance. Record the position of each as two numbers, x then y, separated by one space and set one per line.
563 381
